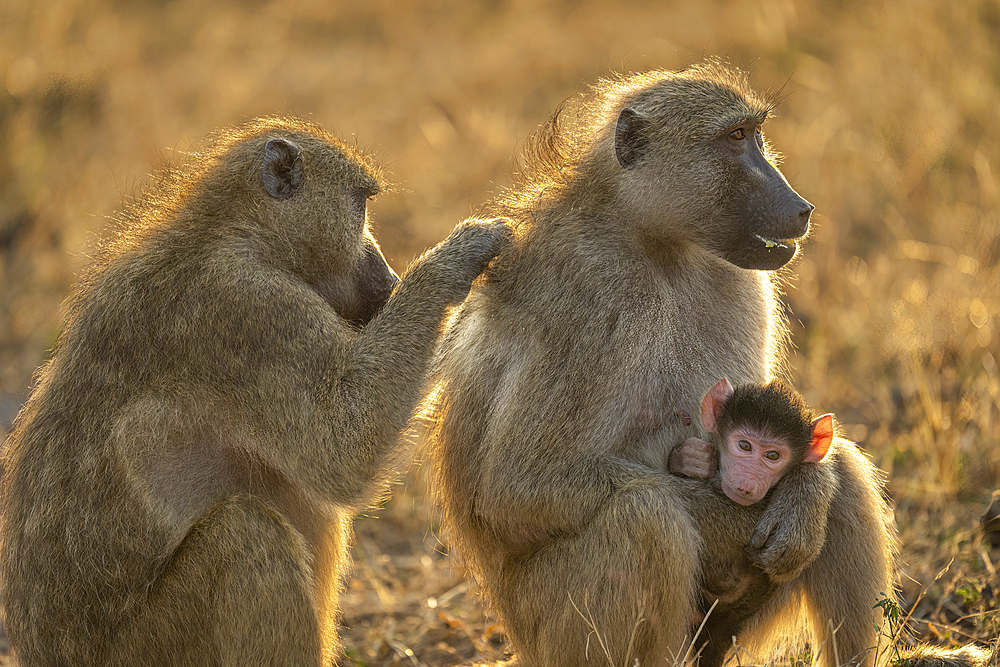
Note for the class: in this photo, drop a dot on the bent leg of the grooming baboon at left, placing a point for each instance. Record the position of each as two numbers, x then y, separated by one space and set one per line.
238 591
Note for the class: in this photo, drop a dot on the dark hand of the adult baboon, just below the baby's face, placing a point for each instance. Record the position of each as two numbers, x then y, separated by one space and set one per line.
786 540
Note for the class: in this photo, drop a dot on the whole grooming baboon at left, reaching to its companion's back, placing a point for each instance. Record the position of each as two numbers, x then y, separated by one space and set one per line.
228 389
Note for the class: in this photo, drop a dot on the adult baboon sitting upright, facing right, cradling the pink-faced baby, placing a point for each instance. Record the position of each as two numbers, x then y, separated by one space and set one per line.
648 215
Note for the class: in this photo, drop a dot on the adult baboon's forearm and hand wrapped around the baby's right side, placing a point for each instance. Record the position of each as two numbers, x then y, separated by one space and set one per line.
792 529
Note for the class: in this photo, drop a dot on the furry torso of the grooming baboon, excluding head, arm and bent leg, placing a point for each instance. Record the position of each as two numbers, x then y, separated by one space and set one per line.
121 449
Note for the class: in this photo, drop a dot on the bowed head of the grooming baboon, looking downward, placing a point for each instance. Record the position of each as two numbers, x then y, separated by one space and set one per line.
313 191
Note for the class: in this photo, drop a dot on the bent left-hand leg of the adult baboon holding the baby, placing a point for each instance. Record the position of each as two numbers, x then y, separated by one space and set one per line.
621 590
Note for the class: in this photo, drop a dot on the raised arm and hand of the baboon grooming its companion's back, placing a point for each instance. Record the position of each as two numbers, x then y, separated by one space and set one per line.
353 391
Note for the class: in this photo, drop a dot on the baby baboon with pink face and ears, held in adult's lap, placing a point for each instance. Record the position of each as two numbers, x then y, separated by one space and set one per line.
761 433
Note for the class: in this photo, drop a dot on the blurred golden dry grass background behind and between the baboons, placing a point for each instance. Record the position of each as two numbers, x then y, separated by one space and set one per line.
889 125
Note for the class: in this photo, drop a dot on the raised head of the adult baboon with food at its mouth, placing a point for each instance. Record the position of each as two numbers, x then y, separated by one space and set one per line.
697 164
